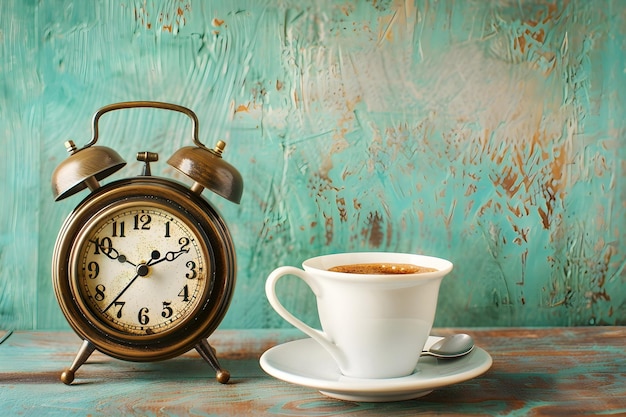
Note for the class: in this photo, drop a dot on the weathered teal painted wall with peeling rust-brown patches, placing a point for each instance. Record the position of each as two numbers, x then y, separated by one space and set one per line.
491 133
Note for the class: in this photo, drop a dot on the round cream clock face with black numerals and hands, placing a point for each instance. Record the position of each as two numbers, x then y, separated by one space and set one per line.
141 269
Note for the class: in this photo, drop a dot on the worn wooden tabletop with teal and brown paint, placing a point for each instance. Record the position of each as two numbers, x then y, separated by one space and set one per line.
535 372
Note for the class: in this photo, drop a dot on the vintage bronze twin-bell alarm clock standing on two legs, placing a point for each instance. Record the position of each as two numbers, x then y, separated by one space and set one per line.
144 267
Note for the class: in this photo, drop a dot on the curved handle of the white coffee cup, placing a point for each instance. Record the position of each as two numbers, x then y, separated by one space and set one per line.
270 292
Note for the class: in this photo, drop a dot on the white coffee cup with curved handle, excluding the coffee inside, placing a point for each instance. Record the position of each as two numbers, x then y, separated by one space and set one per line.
373 325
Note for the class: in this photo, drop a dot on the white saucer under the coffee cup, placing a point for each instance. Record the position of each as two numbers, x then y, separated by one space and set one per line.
305 362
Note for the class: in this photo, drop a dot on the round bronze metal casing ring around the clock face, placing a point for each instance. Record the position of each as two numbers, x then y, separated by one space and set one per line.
214 239
